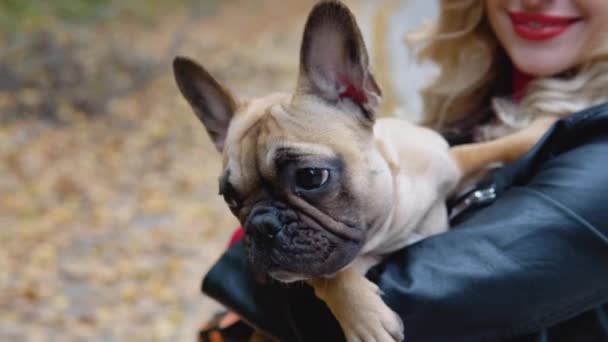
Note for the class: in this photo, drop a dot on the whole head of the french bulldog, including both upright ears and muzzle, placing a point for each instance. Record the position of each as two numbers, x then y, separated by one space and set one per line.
299 170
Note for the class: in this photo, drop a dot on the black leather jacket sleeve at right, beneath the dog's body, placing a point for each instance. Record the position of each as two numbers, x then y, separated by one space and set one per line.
536 257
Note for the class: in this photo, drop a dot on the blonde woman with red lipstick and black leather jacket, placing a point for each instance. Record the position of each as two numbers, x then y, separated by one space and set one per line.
529 262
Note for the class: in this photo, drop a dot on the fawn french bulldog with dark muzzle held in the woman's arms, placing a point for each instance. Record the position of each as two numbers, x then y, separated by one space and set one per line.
322 188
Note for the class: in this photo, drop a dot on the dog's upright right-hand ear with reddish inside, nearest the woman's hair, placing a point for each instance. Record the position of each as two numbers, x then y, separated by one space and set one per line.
333 59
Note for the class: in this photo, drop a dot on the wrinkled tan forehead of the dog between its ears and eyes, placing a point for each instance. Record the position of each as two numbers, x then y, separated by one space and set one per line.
272 131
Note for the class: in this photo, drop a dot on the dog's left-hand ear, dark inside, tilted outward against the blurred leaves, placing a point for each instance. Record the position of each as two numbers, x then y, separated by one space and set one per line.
213 104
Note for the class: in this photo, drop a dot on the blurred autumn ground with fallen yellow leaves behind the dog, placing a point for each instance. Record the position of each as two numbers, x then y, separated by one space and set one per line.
109 214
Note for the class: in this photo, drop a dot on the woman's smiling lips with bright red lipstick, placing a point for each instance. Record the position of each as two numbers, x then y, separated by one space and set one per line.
538 27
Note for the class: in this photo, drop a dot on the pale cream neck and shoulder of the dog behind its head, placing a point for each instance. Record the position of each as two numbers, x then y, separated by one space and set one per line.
417 210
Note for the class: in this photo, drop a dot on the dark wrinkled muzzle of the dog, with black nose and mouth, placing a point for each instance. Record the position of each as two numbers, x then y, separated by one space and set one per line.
292 245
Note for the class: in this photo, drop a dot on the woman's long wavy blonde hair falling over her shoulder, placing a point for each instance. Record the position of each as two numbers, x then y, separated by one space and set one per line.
466 99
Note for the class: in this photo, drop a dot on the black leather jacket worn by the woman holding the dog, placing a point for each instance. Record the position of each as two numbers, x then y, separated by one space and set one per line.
530 266
